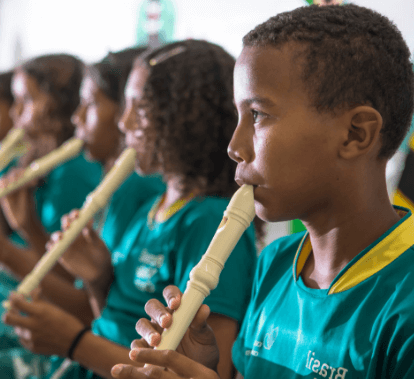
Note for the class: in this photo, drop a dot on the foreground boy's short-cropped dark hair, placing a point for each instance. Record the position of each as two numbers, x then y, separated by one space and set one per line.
352 55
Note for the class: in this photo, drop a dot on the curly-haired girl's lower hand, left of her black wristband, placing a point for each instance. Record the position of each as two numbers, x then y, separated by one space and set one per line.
45 329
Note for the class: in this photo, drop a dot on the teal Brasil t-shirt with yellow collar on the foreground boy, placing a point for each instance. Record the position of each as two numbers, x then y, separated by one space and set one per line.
362 326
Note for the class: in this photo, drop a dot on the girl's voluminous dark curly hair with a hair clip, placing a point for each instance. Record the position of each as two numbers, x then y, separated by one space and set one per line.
190 99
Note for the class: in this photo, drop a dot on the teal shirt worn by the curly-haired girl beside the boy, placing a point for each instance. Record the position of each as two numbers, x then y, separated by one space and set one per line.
147 260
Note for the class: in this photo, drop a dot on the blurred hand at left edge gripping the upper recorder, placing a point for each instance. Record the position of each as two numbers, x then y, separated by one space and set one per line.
19 206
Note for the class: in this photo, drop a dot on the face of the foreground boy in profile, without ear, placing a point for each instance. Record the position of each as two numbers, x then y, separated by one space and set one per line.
281 144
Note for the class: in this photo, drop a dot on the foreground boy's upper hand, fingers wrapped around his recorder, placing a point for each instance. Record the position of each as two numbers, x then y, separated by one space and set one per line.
198 343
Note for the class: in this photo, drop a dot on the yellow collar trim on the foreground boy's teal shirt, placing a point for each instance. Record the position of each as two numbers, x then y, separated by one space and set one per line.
385 250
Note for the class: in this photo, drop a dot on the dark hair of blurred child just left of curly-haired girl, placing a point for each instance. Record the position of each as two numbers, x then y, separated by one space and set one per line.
111 73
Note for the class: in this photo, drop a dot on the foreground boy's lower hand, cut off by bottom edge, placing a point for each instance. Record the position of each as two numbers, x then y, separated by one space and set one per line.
177 366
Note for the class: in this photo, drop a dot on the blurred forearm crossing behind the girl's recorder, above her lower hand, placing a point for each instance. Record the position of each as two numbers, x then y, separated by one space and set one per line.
58 290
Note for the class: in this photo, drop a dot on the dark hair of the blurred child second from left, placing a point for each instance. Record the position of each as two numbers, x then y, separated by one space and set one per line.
59 75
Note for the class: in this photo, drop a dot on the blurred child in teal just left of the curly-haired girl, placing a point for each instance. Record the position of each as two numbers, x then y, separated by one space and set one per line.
96 120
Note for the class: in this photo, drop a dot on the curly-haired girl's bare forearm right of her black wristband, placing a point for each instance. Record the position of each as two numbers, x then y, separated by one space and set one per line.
100 355
